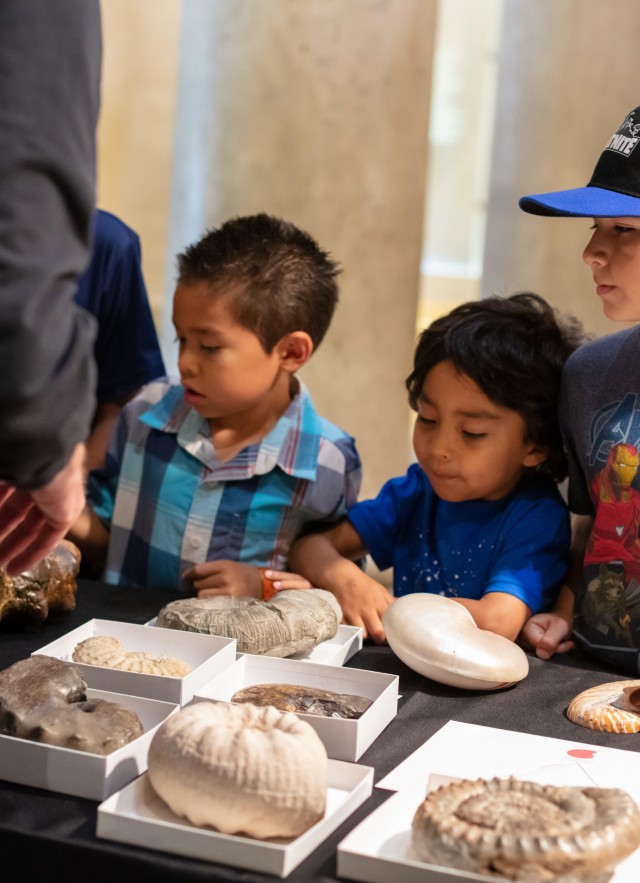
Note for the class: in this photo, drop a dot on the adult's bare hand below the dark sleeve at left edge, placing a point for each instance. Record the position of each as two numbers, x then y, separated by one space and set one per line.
32 522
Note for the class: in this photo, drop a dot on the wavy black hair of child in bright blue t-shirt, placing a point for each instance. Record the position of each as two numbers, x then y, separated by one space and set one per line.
513 349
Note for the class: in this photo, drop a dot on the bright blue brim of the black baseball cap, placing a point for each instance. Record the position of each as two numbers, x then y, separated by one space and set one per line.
583 202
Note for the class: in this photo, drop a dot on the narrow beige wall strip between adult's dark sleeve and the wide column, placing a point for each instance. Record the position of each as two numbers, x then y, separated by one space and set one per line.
135 132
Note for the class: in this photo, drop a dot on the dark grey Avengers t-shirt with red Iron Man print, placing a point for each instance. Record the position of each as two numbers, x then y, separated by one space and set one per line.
600 416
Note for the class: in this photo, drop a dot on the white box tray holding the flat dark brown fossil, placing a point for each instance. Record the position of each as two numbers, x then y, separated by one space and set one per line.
343 739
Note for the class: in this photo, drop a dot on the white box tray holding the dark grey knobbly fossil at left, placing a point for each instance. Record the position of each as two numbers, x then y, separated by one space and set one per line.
68 771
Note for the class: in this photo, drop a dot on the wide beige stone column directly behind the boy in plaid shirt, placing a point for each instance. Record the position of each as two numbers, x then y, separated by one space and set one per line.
317 111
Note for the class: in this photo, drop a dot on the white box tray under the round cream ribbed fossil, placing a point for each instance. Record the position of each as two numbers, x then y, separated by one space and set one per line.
136 815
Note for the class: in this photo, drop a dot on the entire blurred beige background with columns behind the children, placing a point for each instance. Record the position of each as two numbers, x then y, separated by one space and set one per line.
399 133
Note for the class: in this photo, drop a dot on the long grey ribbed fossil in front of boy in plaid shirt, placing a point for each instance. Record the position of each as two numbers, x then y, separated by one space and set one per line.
293 621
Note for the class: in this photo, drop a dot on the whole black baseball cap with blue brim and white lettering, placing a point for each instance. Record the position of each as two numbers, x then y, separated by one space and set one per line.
614 188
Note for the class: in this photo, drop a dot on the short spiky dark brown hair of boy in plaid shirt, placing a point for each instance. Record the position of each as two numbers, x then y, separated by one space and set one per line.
276 277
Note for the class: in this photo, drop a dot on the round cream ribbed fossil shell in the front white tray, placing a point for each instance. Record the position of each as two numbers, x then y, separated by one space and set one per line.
240 769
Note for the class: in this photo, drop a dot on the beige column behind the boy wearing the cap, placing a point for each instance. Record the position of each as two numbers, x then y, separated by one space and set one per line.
569 72
